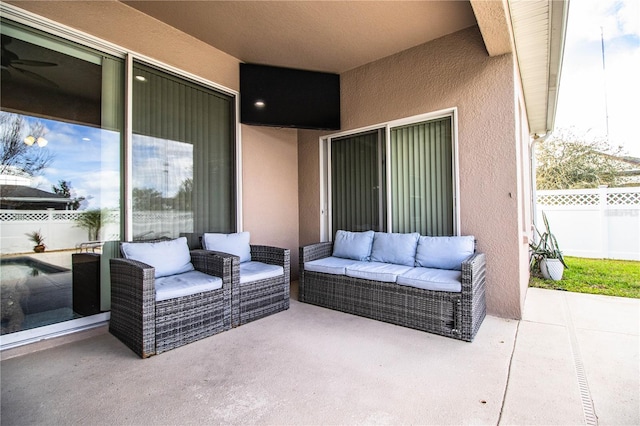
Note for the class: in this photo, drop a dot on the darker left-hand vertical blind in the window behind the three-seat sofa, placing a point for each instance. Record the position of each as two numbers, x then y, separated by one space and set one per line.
356 177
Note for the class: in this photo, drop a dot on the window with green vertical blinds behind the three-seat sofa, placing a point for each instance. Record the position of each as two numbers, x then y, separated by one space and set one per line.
396 178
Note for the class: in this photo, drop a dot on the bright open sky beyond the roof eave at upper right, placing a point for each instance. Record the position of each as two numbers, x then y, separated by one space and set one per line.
601 99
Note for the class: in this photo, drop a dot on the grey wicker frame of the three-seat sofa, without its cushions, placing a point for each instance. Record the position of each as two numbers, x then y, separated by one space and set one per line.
456 315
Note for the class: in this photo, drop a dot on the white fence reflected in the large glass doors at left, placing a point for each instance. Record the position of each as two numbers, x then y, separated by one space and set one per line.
61 231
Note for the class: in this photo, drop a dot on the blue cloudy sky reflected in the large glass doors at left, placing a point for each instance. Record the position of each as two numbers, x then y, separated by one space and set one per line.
89 160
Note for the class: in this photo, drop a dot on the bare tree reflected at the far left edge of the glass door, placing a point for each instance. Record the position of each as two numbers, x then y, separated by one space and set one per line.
17 157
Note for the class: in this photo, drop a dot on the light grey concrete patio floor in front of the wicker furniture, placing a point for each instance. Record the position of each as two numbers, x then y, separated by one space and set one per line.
573 359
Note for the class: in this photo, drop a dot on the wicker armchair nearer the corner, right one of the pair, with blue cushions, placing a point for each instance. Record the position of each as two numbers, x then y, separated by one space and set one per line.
261 279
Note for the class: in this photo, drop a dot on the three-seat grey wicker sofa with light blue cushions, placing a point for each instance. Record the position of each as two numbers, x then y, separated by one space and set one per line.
442 289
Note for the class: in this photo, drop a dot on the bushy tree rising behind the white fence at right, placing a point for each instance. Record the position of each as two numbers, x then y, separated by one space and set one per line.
565 161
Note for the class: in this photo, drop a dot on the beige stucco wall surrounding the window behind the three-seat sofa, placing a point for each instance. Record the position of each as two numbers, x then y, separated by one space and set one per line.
454 71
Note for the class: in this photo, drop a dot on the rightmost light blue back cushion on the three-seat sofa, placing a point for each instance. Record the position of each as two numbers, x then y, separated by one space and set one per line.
444 252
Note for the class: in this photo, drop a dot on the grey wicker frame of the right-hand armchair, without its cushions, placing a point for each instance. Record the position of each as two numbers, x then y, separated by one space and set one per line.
258 299
